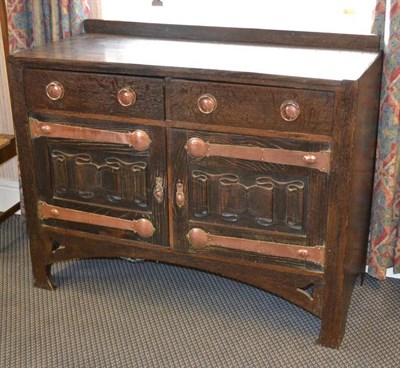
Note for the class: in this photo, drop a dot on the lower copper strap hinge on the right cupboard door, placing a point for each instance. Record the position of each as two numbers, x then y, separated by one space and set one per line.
198 238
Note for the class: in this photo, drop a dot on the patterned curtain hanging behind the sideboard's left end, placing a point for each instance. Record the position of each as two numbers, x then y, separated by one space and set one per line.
33 23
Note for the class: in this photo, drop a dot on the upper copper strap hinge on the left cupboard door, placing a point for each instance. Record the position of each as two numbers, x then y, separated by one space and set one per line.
137 139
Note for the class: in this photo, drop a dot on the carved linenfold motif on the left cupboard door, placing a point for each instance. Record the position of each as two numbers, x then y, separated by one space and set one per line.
113 178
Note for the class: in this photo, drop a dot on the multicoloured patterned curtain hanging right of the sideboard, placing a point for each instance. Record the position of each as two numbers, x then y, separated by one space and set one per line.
384 247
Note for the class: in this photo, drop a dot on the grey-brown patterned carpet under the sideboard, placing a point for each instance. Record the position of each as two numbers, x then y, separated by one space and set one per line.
116 313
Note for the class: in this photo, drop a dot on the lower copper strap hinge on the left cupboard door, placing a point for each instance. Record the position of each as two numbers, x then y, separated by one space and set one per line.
143 227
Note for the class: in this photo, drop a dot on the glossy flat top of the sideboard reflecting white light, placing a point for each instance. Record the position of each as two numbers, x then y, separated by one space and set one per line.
186 55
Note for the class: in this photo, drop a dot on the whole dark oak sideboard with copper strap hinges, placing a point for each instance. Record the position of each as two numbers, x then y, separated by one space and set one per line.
239 200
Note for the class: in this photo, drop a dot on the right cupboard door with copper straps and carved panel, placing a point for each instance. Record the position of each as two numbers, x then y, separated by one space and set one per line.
247 196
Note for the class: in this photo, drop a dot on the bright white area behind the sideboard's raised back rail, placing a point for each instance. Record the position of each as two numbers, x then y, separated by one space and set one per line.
345 16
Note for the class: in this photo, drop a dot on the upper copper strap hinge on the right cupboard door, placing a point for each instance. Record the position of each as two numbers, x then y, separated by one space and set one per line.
320 160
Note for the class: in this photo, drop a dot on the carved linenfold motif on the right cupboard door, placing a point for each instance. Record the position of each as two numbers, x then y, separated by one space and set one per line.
223 195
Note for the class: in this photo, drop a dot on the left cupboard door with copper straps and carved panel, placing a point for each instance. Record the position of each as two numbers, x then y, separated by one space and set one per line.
102 178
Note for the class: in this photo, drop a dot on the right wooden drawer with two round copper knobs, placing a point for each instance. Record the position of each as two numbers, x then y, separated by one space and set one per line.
251 106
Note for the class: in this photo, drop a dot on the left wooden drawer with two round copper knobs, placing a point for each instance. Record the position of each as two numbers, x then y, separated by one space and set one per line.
94 93
